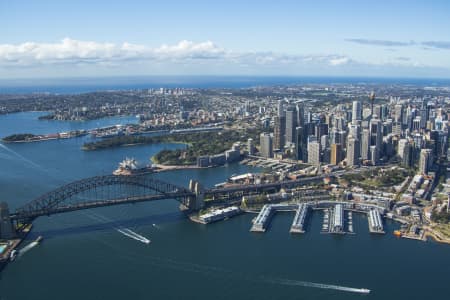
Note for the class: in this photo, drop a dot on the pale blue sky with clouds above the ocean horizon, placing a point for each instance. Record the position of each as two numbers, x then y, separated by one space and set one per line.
339 38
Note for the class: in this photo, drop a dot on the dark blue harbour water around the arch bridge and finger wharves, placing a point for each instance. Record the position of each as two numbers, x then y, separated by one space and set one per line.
87 255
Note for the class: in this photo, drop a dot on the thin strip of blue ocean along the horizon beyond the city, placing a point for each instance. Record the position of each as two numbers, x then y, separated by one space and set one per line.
83 85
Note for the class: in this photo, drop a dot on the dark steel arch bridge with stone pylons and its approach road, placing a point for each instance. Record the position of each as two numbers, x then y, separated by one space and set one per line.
100 191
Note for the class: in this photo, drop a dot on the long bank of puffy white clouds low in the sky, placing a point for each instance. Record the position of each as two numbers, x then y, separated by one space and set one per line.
69 51
